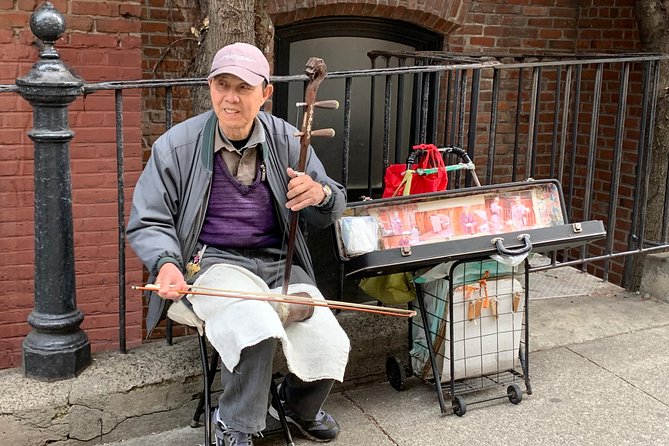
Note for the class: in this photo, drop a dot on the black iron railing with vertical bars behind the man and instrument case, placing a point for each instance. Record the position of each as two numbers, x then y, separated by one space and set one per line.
459 123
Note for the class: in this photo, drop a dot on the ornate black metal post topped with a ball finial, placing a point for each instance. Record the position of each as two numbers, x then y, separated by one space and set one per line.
56 348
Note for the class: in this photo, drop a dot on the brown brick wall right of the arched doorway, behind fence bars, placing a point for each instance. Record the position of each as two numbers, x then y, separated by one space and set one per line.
526 27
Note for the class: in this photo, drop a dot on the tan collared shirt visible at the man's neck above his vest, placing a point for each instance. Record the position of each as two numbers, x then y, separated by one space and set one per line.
243 163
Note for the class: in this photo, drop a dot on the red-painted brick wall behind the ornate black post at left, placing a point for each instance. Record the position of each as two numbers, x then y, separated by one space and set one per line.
102 43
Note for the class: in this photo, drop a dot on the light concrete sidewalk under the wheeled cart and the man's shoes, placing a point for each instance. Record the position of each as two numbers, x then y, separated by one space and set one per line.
610 391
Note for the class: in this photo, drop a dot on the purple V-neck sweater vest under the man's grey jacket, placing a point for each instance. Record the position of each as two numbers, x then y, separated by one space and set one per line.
239 216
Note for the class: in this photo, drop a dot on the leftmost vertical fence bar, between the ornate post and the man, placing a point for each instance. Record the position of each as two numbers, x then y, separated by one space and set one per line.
118 96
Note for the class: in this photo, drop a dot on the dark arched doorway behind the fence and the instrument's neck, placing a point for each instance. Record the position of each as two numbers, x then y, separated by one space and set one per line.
343 43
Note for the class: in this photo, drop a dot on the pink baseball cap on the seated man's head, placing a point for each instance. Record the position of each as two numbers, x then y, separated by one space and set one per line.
244 61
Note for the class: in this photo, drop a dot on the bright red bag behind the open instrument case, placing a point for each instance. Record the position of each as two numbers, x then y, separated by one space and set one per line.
424 172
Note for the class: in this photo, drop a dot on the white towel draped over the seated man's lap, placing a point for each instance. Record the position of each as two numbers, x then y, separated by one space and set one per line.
315 349
